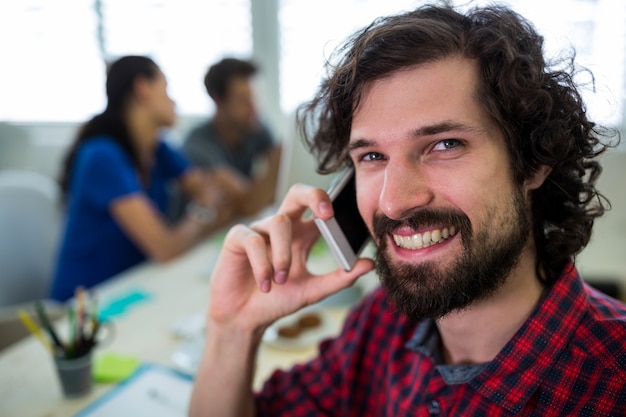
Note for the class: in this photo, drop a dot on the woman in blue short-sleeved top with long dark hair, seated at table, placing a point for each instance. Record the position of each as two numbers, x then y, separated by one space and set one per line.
115 180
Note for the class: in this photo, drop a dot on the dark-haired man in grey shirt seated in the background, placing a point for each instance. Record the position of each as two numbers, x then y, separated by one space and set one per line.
234 145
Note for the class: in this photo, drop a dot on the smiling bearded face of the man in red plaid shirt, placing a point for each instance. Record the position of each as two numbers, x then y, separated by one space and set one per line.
434 185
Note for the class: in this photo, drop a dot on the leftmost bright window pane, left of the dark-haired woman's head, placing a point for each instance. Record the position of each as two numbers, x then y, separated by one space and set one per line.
51 68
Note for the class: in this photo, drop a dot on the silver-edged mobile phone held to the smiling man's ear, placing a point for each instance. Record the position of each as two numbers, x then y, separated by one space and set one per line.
345 233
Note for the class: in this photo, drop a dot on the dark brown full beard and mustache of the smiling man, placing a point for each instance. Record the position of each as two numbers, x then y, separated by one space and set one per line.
430 290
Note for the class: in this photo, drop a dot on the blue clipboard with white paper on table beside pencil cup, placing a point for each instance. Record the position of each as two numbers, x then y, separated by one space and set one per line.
153 390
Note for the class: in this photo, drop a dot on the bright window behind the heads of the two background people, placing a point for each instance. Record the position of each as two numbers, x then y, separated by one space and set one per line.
54 52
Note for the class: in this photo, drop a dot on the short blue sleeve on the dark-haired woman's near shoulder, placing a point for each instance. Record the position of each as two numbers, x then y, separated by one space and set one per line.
103 173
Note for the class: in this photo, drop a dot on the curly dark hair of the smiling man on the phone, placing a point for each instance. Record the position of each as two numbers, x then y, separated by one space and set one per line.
537 106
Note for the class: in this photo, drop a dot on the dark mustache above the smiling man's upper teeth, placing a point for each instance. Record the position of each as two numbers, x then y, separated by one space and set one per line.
383 225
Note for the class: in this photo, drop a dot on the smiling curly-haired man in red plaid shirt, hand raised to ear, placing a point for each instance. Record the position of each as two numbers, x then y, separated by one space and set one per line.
475 174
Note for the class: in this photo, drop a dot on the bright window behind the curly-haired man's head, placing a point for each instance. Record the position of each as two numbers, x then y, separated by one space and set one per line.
596 28
